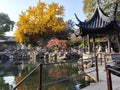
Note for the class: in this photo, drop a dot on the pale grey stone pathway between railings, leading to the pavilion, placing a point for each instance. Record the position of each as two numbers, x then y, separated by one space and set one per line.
102 84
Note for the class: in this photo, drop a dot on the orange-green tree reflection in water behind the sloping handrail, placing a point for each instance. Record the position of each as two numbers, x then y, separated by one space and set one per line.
31 83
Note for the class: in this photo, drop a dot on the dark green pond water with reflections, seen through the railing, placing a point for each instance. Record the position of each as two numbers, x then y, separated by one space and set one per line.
50 73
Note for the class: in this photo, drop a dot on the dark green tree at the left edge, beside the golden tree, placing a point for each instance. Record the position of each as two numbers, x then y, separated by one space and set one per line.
5 24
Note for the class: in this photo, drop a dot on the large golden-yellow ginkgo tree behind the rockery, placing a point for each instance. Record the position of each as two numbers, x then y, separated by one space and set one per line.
40 21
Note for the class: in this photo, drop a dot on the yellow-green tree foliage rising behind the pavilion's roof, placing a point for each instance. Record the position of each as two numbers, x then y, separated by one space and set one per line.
106 5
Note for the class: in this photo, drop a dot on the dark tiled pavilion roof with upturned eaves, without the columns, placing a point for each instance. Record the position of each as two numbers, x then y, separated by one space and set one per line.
99 23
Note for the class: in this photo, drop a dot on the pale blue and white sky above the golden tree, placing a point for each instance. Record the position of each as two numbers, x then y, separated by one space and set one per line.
14 7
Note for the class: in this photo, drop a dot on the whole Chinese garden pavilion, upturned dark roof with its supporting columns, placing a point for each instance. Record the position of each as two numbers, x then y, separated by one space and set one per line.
100 25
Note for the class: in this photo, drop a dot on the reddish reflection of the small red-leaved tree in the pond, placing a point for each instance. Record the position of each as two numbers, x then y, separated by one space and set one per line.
62 71
